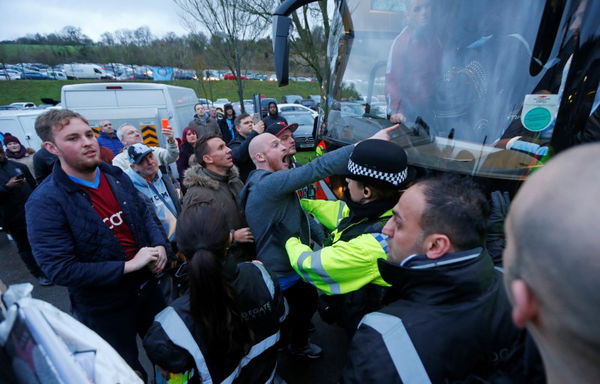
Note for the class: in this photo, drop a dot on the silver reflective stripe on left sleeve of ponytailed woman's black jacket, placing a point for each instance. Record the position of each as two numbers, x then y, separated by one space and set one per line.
180 335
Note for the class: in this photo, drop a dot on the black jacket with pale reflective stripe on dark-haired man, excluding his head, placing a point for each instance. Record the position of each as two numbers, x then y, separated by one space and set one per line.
446 321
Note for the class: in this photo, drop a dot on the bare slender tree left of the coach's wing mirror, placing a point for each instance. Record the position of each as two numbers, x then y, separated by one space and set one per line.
230 27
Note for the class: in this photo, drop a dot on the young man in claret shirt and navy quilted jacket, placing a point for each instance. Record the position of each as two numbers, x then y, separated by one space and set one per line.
91 232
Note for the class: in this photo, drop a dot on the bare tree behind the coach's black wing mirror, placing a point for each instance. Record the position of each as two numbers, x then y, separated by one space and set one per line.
309 39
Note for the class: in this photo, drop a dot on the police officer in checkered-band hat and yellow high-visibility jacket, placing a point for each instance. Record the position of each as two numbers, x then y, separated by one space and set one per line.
376 172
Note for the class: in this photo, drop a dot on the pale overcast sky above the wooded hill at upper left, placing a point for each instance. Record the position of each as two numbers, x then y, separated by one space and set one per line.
21 17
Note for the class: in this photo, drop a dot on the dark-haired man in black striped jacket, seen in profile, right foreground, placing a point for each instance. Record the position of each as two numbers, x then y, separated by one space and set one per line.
448 317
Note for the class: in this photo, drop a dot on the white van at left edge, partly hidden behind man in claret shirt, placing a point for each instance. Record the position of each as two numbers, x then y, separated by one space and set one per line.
21 124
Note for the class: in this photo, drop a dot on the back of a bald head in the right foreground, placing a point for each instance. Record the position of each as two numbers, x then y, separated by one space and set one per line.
552 265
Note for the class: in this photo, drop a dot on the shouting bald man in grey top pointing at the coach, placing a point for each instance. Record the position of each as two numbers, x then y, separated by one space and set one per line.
271 205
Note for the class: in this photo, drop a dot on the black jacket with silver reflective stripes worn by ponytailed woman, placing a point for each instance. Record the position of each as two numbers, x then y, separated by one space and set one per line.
261 304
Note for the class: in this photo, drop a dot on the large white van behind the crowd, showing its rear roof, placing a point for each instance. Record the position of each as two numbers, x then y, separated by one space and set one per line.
141 104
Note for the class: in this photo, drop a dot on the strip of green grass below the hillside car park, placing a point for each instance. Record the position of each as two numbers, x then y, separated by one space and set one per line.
34 90
